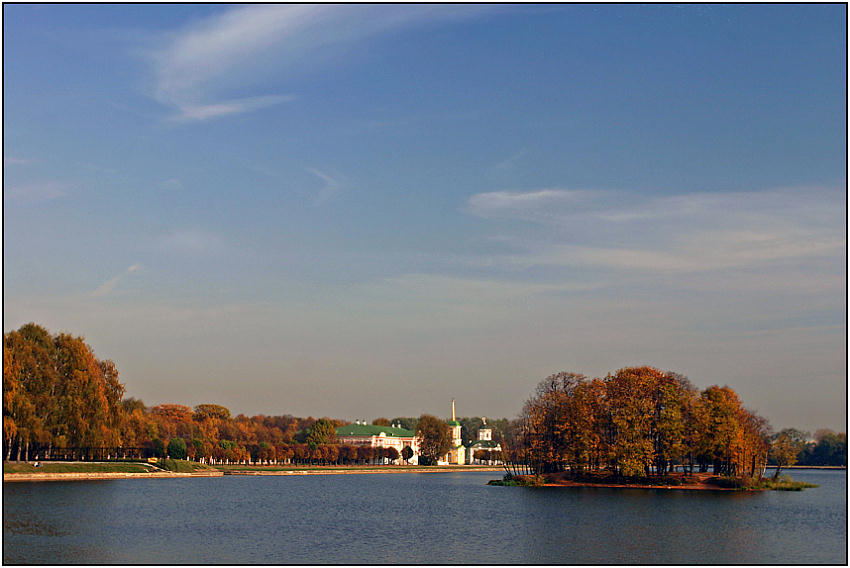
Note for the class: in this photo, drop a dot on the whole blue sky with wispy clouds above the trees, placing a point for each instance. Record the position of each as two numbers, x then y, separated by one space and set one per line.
360 211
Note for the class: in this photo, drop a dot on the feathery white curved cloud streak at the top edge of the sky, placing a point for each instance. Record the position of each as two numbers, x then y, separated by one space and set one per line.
242 47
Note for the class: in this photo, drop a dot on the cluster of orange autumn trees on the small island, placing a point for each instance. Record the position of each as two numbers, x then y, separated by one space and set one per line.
638 421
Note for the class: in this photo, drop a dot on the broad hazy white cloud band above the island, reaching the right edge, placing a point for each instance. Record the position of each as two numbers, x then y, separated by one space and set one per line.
678 233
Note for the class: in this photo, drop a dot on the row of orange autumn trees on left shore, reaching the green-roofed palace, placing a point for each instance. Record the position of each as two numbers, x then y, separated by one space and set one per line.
61 402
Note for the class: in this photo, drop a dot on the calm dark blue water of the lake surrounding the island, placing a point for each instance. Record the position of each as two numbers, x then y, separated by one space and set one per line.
416 518
